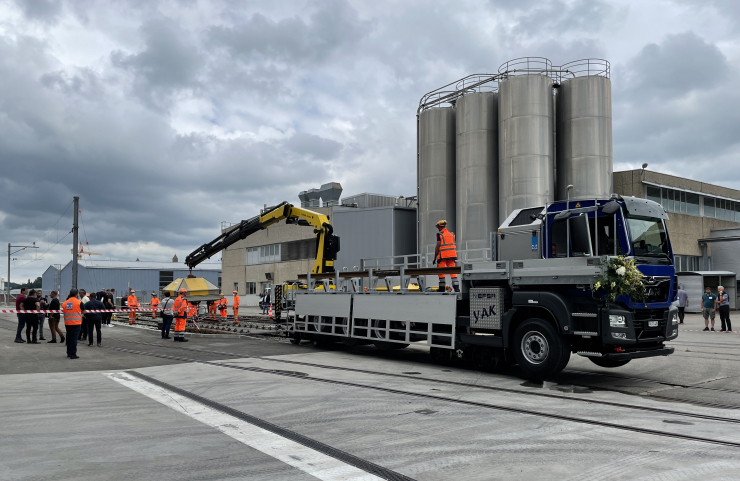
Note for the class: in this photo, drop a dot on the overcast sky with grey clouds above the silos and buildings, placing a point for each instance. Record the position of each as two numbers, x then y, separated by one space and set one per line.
168 117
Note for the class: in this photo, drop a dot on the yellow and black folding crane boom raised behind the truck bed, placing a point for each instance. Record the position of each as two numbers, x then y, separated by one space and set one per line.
327 244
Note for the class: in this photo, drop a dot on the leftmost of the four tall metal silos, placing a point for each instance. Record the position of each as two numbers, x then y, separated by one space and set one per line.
436 173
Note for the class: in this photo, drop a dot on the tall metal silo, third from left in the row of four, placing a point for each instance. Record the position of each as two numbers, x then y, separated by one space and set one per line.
526 154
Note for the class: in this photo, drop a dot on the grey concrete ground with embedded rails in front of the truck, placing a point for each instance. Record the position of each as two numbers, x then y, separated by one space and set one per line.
68 419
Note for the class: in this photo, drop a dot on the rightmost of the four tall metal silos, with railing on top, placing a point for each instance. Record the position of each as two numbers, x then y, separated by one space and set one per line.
584 130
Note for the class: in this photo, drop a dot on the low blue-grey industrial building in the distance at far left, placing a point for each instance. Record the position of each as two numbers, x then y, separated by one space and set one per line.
144 277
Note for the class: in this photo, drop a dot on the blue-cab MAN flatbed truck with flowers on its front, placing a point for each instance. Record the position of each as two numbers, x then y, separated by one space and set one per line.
533 302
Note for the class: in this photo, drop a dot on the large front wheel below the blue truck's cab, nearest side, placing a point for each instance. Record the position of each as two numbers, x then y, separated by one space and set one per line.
539 350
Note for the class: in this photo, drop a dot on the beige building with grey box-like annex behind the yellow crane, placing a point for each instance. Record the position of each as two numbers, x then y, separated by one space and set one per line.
281 252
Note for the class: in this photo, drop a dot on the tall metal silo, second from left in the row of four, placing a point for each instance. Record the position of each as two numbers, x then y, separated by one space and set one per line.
477 169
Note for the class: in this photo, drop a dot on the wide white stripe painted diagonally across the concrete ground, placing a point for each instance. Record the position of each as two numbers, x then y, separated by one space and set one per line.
306 459
